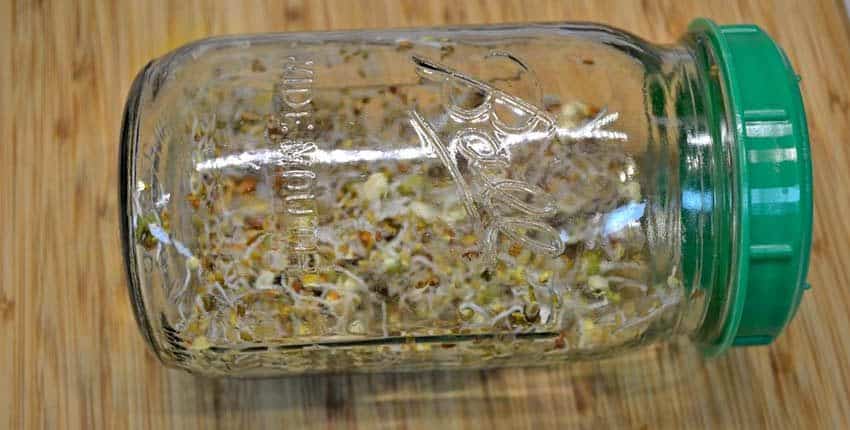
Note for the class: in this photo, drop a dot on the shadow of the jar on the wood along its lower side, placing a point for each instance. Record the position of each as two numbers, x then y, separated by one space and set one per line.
655 374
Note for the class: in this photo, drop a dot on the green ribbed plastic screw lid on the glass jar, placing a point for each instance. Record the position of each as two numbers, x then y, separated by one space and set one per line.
771 215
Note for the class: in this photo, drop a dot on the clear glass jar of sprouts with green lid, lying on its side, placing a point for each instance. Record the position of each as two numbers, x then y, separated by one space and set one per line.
462 197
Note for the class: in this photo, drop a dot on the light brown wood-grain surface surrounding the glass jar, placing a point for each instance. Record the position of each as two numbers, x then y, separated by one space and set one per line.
70 354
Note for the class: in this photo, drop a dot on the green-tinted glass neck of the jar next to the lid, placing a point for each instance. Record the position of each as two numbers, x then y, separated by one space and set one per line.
707 190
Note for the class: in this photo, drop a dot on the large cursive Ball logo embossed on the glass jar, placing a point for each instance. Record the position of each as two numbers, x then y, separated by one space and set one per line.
489 126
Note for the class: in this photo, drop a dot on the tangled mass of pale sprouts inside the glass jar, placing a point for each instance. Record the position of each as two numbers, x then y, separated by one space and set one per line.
400 254
